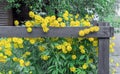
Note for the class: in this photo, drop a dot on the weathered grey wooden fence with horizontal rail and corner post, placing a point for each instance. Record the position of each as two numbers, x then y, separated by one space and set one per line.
103 36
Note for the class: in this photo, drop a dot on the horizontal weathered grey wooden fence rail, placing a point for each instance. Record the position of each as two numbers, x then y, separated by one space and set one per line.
12 31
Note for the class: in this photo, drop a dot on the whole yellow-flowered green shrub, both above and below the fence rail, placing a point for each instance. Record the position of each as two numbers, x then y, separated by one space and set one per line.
51 55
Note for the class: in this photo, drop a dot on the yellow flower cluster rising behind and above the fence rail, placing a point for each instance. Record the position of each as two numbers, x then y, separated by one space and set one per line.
66 19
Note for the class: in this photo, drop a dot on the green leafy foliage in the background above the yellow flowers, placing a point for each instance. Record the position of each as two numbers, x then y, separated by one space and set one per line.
55 7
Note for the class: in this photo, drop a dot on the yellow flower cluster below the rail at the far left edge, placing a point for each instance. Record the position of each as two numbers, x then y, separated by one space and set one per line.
7 47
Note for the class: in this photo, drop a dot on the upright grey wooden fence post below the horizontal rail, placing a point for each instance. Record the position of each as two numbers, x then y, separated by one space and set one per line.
103 63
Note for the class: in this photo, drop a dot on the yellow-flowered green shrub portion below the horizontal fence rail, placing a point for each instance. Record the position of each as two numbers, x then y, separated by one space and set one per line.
49 55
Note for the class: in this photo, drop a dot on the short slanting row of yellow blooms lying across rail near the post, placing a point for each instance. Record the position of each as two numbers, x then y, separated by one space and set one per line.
89 30
